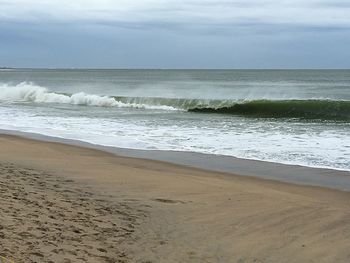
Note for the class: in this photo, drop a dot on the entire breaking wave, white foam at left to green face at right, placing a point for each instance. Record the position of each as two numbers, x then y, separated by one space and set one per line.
293 108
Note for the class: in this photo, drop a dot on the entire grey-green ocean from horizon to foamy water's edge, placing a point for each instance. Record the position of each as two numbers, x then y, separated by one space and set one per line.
297 117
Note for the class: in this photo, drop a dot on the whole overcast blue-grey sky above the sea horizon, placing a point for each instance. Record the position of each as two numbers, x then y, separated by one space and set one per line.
175 33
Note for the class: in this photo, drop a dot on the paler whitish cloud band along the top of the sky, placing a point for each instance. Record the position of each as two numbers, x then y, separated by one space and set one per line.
319 13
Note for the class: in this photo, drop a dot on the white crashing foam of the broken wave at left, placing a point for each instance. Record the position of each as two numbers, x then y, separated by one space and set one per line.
28 92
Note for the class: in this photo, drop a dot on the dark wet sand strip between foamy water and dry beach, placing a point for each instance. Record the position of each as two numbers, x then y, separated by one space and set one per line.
287 173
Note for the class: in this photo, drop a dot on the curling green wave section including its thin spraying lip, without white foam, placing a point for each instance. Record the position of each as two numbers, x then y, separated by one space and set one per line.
306 109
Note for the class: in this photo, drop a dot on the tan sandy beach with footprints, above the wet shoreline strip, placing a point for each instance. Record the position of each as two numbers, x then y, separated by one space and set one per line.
61 203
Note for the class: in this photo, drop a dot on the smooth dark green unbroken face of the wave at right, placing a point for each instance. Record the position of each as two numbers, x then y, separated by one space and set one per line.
308 109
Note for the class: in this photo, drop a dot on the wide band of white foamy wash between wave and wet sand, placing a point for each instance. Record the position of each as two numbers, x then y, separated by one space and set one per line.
325 145
